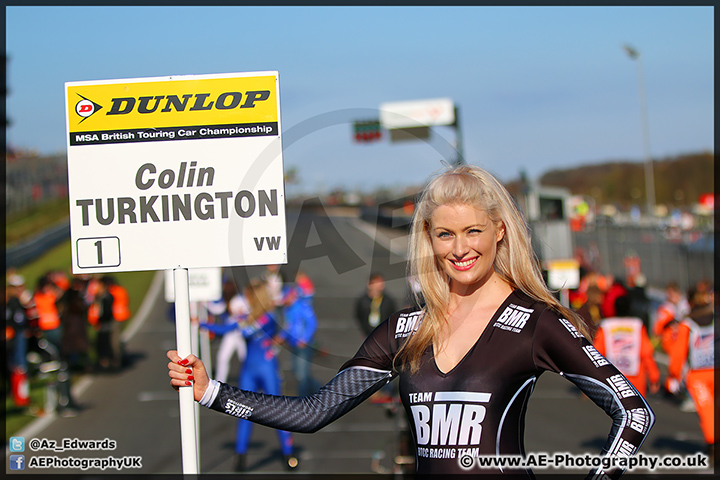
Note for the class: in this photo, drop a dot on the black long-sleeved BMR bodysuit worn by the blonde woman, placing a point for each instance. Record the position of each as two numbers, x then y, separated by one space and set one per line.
477 408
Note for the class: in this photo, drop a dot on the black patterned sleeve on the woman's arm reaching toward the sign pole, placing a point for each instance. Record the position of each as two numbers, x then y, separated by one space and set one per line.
360 377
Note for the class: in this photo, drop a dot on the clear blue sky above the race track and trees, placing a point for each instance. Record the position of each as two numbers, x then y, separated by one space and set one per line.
538 87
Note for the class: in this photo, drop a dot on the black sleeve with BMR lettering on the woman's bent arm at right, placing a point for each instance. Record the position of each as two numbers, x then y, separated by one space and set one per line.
559 347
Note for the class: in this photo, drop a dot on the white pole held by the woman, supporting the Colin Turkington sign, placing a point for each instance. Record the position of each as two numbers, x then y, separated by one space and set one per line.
188 427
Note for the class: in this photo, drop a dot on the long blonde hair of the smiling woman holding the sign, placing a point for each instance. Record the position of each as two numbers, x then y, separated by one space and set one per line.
515 261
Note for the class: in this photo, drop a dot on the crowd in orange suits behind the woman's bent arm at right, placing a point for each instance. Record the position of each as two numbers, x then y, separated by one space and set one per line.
633 336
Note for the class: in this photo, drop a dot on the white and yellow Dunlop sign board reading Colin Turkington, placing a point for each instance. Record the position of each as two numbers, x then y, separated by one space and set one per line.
172 172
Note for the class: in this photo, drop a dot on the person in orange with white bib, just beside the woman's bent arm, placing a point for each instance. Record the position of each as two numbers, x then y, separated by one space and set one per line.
624 341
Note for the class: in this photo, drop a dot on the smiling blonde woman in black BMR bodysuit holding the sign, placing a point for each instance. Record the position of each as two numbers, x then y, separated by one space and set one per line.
468 360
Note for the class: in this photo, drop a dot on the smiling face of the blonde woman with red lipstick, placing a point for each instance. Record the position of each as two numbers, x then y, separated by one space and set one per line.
464 242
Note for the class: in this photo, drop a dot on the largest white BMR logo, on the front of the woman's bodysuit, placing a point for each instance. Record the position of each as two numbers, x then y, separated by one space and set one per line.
455 418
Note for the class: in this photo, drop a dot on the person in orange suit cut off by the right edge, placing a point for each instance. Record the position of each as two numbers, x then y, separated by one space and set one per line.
692 356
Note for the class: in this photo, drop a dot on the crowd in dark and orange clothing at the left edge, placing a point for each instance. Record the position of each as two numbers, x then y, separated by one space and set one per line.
68 324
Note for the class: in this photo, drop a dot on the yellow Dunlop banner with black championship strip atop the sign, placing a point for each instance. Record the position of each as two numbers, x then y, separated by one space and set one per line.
171 108
